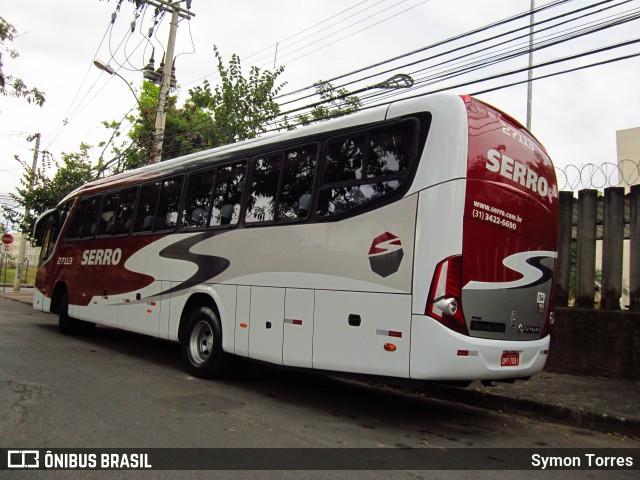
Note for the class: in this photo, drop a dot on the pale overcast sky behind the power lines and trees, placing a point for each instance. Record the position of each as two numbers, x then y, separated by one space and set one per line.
575 115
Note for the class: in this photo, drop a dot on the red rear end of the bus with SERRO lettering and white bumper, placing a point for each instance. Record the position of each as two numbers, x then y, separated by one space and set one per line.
489 307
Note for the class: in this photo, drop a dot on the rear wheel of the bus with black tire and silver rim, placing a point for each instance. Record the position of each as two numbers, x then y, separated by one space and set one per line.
202 345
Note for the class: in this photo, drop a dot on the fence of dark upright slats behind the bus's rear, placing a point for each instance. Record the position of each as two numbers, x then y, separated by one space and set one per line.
593 231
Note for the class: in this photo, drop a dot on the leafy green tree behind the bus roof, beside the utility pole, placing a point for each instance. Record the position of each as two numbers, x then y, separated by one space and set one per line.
236 109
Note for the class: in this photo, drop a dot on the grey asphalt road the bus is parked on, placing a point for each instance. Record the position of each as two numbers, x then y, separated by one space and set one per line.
114 389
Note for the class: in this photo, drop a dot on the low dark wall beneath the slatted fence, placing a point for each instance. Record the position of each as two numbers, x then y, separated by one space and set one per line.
595 343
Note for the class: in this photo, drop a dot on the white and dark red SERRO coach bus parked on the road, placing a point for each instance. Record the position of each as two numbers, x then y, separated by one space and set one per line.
415 240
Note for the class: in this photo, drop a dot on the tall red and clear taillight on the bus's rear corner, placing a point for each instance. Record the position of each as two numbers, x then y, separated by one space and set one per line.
443 302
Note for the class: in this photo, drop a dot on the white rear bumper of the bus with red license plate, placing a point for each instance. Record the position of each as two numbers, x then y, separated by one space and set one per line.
438 353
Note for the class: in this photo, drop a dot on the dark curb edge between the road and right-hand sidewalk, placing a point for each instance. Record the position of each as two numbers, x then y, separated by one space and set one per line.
571 416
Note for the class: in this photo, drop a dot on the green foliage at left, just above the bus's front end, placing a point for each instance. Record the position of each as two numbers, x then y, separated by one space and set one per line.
39 192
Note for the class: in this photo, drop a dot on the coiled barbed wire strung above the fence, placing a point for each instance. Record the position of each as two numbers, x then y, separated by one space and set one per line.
598 176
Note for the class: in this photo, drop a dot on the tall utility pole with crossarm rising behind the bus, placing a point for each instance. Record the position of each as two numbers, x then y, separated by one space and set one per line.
161 115
